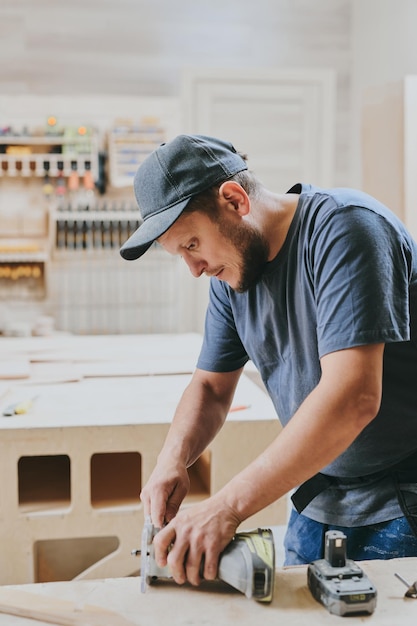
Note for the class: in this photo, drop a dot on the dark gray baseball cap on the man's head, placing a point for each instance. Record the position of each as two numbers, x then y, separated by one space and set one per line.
170 176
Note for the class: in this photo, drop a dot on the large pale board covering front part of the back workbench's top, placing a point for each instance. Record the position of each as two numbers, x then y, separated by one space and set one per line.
122 400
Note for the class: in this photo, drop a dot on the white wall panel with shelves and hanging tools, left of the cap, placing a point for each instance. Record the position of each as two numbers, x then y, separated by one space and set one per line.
59 249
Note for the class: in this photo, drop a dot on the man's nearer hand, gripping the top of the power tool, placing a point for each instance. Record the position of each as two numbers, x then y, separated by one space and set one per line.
192 542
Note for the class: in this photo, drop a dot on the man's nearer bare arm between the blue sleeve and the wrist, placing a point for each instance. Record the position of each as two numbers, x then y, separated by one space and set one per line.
327 422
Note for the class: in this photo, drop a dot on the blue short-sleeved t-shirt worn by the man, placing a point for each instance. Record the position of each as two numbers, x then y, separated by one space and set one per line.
346 276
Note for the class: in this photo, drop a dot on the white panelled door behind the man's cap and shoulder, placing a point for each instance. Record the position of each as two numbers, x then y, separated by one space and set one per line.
283 120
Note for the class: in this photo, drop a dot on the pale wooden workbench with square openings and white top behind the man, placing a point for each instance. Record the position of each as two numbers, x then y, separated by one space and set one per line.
74 464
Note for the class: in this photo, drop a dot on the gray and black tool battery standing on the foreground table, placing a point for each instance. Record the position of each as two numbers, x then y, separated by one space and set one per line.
339 583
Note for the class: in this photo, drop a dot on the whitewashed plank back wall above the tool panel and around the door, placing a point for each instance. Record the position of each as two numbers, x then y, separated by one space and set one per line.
142 47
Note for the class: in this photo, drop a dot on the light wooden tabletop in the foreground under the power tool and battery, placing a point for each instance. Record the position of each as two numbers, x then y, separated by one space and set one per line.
216 603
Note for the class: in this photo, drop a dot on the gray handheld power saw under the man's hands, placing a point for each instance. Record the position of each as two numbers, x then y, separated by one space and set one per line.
247 563
